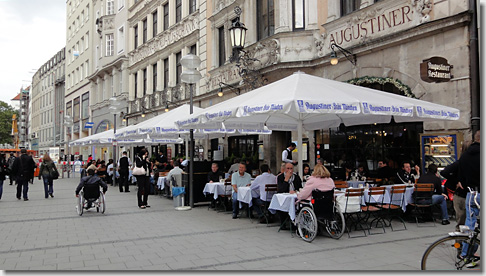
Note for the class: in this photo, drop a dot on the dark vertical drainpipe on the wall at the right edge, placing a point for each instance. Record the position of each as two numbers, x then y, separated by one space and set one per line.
474 59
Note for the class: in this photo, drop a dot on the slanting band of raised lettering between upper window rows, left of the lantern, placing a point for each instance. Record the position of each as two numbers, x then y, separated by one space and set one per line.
166 38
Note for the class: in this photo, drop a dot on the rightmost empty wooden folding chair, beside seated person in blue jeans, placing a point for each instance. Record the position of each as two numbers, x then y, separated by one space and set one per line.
422 201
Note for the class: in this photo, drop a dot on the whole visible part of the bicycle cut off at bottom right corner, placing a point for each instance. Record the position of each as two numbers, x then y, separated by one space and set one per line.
445 253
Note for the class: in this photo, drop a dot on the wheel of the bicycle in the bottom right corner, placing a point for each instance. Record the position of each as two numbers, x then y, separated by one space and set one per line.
443 254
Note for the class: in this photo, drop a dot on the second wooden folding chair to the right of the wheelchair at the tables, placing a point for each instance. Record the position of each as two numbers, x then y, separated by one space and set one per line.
373 208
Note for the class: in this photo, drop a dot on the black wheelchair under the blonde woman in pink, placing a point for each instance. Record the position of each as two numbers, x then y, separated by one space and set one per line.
321 211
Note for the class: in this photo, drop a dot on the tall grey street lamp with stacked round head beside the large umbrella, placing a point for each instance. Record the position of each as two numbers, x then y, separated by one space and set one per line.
191 76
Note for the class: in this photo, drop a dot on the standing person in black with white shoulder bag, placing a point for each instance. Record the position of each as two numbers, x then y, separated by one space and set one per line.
143 180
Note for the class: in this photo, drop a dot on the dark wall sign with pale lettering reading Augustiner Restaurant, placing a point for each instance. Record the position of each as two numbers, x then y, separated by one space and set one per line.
435 69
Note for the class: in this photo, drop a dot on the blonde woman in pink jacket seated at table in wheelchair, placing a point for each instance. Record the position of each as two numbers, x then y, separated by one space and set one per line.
320 179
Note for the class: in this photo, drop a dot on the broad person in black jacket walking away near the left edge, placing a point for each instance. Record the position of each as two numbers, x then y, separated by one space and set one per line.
23 169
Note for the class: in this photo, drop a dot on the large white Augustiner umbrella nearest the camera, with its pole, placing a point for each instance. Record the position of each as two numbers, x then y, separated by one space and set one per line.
303 101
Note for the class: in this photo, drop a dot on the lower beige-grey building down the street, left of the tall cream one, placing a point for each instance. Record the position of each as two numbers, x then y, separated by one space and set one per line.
47 102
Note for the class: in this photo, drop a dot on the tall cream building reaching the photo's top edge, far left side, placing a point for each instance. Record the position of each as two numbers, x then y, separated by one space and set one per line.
80 30
